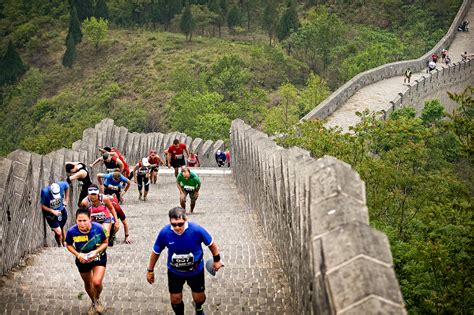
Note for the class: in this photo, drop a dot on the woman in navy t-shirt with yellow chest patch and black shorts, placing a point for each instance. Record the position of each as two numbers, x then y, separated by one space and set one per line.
87 241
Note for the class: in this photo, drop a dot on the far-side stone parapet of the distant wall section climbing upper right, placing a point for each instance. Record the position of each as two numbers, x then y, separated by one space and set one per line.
341 95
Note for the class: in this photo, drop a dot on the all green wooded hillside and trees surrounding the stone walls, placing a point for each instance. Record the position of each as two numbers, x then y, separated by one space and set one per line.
194 66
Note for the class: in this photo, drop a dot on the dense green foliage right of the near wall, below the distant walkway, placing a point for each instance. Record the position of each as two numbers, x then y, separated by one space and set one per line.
415 195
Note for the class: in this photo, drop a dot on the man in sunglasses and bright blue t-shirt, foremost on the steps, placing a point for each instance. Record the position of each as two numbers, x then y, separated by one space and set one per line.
185 258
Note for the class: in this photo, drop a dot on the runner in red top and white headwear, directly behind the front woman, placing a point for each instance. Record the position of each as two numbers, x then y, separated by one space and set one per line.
102 211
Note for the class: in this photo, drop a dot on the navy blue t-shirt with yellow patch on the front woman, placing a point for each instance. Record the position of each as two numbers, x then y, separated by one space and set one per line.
85 243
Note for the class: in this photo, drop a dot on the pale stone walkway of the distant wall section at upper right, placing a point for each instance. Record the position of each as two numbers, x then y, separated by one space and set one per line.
376 96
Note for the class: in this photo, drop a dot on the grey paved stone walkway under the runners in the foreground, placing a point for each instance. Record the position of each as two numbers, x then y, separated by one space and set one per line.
251 282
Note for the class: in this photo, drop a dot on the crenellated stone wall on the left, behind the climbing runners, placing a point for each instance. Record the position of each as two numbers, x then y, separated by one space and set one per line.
23 174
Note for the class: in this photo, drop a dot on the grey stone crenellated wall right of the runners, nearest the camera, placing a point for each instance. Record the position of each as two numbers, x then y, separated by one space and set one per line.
314 212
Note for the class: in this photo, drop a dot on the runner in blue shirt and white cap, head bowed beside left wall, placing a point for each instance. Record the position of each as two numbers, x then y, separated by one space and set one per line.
54 200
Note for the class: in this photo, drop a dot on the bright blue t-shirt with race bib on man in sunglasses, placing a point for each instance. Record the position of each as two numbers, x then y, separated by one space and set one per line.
185 256
